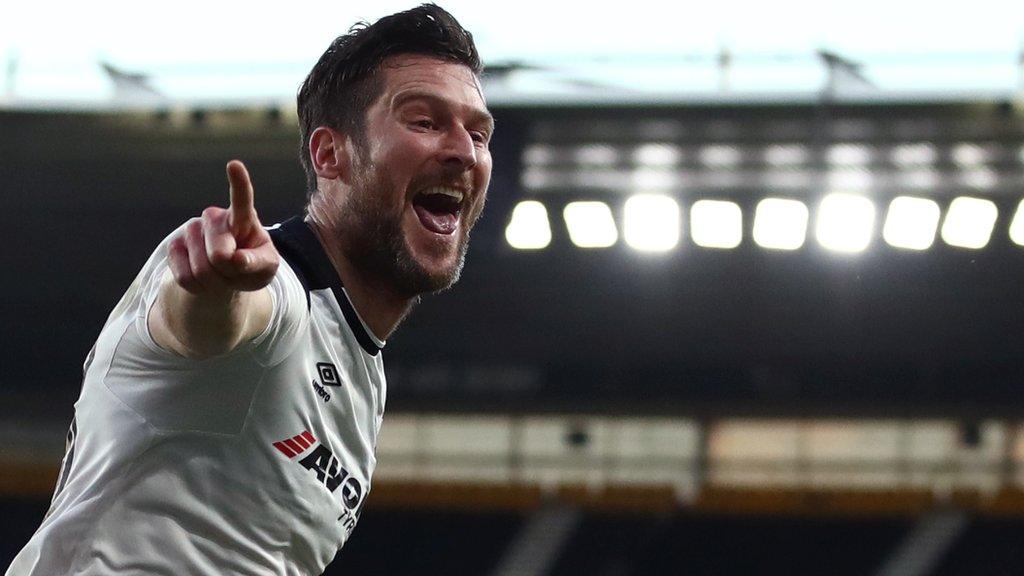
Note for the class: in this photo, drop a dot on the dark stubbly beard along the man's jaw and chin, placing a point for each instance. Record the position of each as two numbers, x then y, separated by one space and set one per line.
375 241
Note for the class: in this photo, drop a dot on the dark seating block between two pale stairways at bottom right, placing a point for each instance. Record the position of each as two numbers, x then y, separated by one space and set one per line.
730 545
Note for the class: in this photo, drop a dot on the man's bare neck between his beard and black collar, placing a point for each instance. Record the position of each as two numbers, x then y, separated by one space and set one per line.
377 304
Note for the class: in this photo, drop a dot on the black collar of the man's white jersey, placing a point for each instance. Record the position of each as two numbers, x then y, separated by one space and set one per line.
297 243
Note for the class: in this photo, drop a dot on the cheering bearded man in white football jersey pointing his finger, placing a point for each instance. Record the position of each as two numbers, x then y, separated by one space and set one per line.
231 406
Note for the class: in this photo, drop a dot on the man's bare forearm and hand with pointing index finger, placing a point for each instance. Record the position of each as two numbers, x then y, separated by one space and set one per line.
216 298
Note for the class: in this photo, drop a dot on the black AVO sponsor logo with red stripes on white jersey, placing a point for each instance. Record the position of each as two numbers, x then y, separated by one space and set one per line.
329 472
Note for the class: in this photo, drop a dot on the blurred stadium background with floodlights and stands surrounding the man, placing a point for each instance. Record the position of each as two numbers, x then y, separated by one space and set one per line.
746 298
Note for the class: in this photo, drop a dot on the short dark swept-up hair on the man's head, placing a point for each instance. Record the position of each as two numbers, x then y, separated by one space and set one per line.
345 83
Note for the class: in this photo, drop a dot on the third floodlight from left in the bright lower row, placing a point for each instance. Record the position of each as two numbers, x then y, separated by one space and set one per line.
652 223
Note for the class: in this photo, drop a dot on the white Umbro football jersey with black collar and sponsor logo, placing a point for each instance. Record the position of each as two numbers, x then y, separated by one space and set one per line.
254 463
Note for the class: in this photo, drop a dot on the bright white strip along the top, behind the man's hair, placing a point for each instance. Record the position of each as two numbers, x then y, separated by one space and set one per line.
110 54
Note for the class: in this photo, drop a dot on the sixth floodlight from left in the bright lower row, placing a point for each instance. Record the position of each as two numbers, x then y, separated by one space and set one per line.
845 223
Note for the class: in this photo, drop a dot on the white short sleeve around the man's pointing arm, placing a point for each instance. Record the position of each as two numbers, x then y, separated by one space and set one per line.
174 393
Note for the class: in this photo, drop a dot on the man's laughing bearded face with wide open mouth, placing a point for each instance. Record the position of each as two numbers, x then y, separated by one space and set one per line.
420 178
